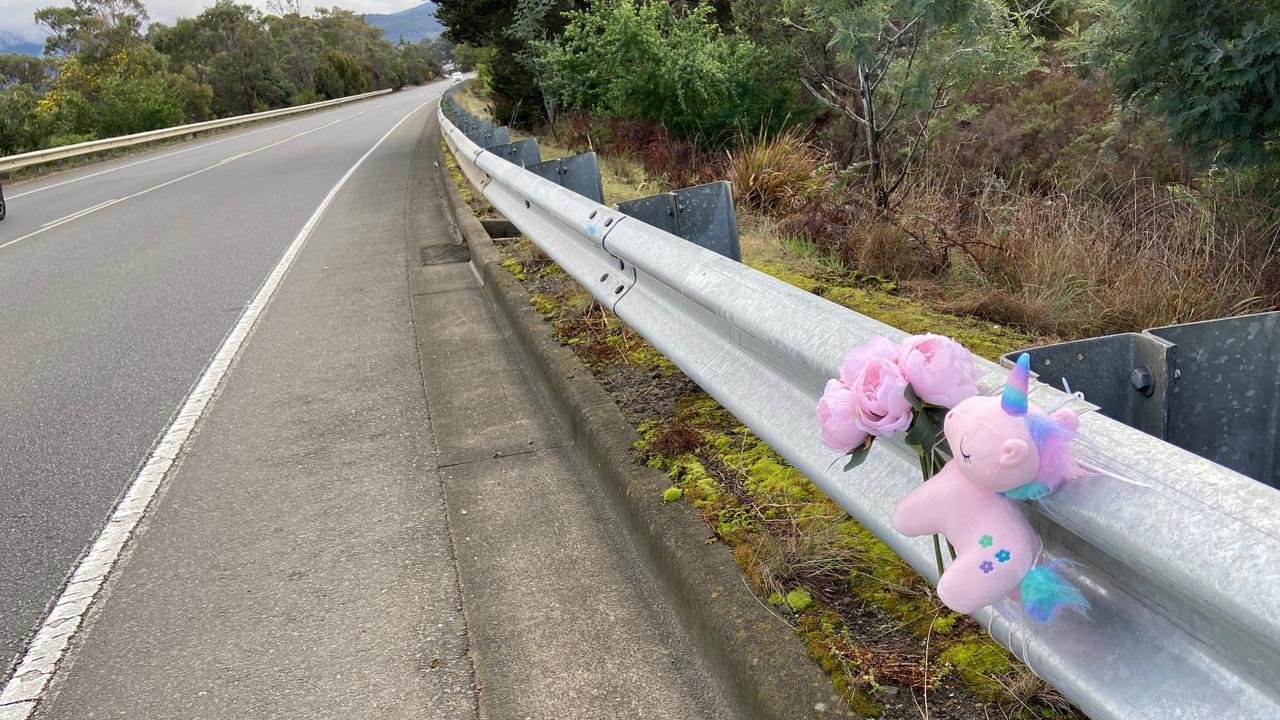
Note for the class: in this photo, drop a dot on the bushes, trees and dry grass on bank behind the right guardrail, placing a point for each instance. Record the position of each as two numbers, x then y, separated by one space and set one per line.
1067 168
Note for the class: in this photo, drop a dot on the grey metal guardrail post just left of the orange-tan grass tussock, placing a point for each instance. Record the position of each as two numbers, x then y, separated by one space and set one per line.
702 215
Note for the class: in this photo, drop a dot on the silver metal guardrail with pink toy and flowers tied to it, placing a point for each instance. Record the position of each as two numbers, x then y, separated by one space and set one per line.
1181 559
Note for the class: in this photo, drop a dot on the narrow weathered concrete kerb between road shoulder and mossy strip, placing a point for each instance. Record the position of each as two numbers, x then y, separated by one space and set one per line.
755 654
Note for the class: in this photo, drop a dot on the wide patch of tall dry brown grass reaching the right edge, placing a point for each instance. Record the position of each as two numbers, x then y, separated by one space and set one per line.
1078 265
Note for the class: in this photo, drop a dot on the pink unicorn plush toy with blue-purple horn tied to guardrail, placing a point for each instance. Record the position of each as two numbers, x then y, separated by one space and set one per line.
1004 452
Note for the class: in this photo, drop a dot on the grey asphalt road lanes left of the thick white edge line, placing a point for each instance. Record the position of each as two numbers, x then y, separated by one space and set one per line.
118 282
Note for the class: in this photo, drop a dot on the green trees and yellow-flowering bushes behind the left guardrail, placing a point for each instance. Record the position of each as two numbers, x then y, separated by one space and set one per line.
107 72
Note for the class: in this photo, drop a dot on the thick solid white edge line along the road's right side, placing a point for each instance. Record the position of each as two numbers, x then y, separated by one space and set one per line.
39 664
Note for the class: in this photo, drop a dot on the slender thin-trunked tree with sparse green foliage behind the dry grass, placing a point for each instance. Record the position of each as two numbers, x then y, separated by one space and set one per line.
897 69
